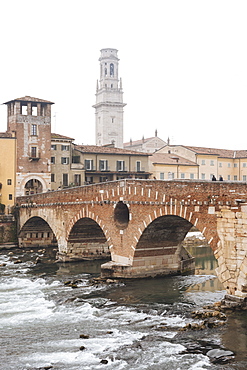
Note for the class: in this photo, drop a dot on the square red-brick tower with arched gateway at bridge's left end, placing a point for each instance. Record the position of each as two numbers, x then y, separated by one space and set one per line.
29 121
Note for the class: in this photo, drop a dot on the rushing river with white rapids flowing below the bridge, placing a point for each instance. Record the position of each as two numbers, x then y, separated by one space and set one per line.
46 322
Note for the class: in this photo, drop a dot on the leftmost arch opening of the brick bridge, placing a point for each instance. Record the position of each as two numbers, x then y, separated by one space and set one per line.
36 232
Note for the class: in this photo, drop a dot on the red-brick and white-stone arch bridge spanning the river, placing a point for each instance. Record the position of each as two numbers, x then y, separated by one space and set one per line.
142 224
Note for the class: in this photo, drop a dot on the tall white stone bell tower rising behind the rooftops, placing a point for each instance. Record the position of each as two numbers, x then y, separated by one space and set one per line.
109 101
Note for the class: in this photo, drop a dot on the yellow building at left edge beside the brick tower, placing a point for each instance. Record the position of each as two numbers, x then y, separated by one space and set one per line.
7 172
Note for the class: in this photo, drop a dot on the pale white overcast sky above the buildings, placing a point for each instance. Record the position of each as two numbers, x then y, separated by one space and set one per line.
183 65
